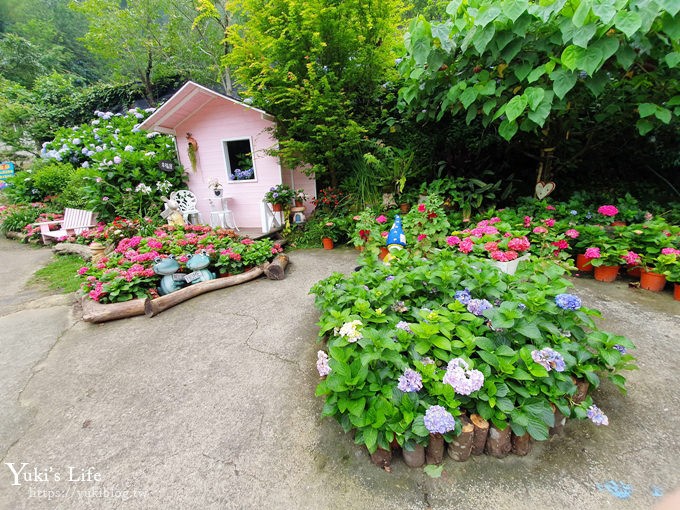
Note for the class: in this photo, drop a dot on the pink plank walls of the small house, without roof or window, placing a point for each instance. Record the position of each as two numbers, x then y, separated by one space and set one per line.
223 120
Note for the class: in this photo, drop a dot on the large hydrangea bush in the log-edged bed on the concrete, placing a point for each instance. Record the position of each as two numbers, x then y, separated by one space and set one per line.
411 346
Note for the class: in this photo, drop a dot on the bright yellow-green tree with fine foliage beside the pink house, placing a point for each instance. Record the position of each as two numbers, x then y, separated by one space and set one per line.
319 66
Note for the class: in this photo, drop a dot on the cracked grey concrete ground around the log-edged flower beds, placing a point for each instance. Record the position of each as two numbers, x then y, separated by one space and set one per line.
211 405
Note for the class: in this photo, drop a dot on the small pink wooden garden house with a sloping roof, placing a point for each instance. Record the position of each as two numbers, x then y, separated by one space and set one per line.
233 143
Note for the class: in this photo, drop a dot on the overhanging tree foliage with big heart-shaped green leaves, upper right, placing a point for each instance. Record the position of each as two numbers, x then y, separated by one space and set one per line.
520 64
